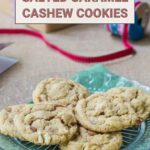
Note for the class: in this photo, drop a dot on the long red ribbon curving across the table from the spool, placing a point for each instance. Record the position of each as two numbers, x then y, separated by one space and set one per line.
85 59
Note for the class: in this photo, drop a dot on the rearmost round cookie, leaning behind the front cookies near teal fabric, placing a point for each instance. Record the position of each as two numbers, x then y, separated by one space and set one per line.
59 91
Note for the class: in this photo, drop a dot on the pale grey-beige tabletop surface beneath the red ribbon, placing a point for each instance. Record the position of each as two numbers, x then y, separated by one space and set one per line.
37 62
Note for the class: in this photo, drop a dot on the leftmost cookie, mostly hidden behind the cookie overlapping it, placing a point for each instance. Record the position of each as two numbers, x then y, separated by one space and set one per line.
7 126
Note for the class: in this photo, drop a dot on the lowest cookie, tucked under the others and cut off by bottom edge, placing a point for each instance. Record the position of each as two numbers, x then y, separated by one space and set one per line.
88 140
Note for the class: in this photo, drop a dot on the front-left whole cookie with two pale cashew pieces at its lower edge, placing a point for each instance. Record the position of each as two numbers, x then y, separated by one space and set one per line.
46 124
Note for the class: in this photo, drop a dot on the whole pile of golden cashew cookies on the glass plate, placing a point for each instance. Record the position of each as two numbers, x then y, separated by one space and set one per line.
66 113
